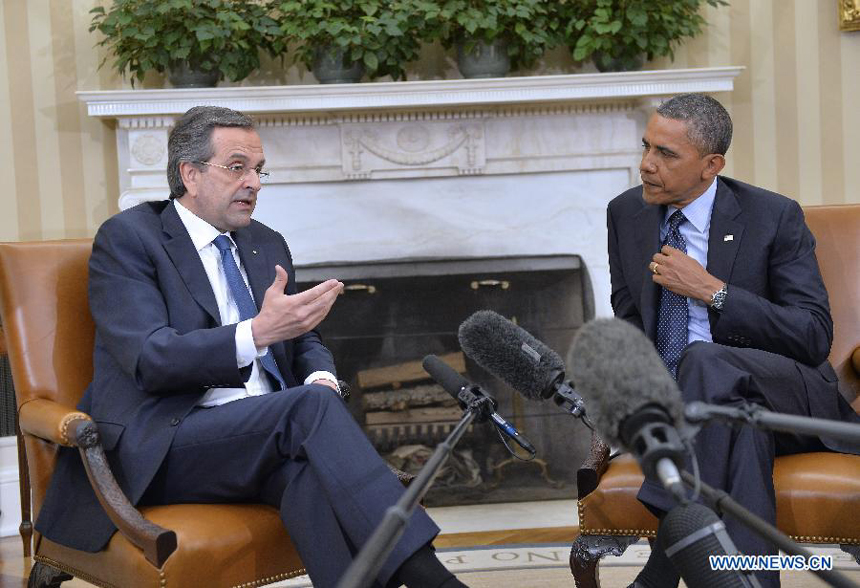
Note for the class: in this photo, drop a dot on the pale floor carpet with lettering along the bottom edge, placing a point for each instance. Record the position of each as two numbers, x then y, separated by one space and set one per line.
546 565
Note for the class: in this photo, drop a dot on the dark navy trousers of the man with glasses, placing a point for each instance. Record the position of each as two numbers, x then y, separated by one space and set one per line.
301 451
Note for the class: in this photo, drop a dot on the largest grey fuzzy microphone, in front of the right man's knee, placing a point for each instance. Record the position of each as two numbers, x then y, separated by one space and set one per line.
633 399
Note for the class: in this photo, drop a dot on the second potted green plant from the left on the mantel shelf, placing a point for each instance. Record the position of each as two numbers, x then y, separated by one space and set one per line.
339 40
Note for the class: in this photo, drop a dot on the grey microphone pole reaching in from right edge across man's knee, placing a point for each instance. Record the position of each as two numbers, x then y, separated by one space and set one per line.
757 416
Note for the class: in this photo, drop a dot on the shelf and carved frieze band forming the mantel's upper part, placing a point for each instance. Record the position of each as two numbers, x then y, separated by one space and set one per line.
398 129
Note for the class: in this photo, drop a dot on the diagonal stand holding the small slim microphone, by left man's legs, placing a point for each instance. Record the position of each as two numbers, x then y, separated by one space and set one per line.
364 568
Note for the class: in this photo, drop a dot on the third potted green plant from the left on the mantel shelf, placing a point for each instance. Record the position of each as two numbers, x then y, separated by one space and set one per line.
502 34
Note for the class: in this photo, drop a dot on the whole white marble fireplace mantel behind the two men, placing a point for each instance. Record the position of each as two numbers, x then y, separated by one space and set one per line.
452 168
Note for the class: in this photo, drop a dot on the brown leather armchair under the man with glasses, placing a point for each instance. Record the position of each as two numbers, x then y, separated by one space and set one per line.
49 337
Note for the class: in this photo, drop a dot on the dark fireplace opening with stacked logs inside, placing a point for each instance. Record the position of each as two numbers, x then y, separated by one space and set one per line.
394 313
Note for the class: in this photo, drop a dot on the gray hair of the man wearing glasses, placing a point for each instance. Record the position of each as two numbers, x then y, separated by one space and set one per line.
191 139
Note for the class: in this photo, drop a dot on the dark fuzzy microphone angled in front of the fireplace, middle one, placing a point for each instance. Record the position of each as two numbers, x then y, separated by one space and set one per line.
513 355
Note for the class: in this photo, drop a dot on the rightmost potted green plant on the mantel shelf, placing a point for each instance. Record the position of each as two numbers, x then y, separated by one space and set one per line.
619 34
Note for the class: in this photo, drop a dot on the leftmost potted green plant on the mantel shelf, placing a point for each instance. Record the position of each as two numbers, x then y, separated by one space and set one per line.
209 39
